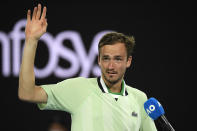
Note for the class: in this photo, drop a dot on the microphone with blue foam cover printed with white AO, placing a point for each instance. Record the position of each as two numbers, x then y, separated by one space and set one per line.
155 110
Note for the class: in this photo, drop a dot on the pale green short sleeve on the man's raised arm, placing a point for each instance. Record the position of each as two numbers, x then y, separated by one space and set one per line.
66 95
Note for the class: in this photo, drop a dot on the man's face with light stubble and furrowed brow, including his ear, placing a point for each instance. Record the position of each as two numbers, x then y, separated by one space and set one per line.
113 62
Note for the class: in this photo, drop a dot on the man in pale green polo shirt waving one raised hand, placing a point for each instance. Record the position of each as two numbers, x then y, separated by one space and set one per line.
95 104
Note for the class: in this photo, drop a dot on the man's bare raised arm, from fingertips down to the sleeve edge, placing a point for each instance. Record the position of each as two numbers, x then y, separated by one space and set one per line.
36 26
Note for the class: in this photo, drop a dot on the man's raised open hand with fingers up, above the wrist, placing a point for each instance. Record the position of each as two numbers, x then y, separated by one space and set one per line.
37 25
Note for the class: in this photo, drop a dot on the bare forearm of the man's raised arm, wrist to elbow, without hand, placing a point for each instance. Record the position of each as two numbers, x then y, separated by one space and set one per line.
27 76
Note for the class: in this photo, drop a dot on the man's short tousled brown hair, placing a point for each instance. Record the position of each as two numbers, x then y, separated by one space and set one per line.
114 37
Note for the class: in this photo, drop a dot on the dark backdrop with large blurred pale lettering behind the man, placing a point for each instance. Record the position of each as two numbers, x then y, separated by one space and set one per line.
163 61
